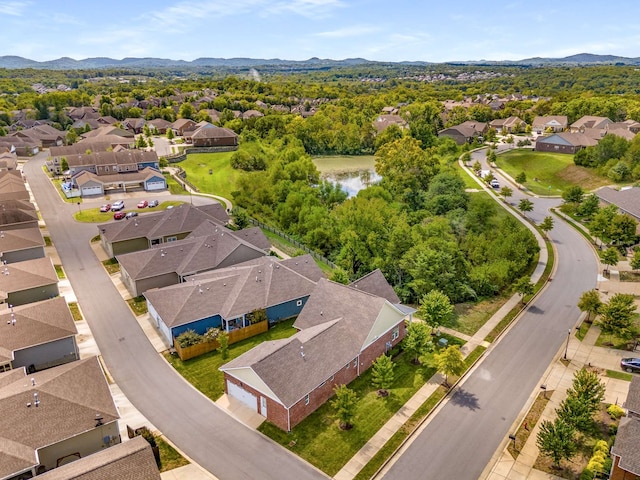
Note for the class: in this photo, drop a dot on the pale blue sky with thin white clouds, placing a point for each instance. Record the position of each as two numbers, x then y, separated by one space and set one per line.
426 30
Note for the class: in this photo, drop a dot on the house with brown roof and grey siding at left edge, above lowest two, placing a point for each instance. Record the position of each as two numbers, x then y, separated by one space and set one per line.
37 336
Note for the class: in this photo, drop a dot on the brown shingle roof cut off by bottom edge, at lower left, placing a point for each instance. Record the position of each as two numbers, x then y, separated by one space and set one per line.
130 460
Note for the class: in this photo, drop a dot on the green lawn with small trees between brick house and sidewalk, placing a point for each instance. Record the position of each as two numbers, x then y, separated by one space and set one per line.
319 439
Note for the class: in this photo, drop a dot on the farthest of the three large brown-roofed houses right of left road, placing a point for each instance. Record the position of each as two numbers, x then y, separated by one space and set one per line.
157 228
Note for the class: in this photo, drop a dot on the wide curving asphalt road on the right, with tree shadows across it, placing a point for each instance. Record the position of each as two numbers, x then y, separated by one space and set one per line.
460 440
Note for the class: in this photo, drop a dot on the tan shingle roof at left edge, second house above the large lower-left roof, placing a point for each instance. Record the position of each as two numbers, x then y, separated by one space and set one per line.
15 277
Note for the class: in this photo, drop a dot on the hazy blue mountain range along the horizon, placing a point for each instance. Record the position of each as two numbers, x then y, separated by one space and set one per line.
66 63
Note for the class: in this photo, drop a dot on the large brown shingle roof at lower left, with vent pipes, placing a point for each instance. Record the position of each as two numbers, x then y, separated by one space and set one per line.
70 396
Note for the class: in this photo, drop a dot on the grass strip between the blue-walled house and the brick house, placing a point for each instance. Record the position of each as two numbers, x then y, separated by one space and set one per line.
202 372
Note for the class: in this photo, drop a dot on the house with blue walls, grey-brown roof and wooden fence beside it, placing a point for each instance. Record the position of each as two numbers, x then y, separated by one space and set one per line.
226 298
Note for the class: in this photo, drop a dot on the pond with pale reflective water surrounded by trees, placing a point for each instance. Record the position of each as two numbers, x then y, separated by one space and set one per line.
353 173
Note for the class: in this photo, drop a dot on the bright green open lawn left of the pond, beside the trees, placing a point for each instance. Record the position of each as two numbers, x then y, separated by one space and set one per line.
221 181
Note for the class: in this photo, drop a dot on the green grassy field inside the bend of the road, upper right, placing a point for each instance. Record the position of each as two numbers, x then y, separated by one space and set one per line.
555 172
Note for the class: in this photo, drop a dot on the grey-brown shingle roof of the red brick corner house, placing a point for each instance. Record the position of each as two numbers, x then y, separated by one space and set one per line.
334 326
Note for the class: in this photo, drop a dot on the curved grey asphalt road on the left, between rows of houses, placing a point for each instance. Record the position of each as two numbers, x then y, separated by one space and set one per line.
196 425
